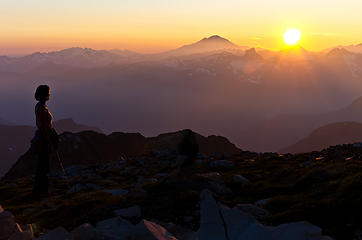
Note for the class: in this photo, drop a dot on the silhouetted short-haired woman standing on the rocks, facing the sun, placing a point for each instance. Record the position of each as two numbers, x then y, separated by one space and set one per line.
43 140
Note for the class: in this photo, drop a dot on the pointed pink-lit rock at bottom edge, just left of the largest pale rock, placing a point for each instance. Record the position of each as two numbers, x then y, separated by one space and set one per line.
150 231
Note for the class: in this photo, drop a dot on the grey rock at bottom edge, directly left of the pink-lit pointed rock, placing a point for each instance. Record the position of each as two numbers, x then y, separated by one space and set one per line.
114 228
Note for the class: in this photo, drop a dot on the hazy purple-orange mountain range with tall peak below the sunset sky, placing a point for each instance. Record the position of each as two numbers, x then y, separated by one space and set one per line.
212 86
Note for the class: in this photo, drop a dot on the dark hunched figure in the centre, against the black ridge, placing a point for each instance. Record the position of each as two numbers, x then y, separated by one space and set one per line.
189 148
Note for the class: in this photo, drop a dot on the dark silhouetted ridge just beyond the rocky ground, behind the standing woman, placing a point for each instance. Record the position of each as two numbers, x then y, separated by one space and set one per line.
91 148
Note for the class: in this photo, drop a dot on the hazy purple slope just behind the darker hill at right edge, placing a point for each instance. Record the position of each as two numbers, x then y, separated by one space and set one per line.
278 132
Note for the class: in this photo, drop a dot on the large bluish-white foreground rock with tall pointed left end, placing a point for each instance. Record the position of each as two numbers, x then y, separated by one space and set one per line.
222 223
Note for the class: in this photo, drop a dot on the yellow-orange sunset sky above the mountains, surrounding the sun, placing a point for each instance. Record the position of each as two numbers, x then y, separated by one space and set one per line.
157 25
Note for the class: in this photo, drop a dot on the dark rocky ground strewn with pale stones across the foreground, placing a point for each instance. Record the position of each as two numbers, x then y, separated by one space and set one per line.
243 196
